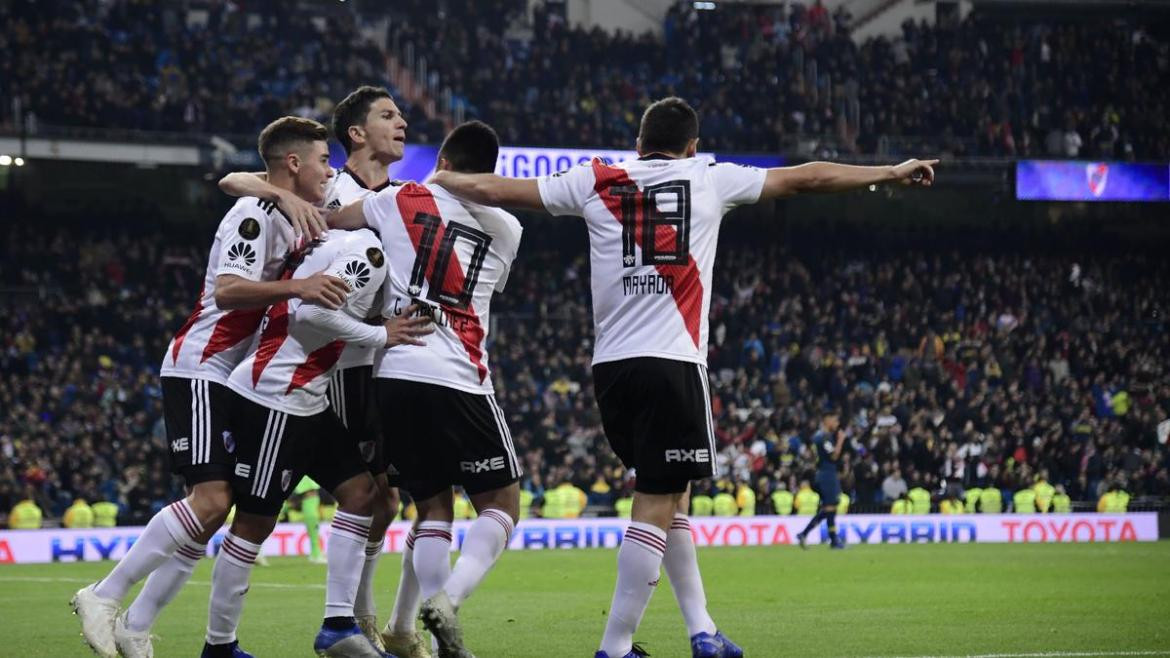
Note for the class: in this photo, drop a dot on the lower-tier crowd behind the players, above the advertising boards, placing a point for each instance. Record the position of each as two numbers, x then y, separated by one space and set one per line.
955 371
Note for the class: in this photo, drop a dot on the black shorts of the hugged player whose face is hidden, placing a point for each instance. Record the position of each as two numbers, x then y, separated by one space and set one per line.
274 450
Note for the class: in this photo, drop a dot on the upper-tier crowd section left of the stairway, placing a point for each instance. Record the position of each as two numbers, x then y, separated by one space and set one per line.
182 67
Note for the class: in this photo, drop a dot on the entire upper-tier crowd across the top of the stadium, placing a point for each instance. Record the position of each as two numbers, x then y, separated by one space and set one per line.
1033 88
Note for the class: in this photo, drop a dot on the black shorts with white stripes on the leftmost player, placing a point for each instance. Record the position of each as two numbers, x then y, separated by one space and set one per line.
196 413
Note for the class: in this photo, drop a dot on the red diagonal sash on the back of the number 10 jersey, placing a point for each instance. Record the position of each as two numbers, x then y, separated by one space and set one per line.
414 200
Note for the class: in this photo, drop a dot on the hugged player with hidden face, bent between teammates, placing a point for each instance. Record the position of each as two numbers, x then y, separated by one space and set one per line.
284 431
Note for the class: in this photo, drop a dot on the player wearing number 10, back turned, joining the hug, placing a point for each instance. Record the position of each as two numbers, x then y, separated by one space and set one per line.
450 430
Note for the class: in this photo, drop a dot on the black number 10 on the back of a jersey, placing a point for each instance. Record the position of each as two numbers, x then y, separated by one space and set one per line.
462 291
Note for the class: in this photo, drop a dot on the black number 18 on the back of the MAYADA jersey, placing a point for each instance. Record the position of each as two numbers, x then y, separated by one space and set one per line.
660 209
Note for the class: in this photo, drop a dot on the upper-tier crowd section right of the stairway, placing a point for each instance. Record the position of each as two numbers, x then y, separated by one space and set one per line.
1059 90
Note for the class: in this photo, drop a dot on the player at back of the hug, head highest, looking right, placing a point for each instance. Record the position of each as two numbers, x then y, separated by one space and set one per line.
373 131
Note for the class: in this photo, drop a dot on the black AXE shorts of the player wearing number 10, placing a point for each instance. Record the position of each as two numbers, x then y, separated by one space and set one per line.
443 437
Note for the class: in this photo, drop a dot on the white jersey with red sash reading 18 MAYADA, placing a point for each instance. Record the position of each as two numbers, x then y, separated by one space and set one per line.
653 228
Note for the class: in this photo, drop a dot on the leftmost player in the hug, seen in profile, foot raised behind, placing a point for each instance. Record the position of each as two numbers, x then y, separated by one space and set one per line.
242 282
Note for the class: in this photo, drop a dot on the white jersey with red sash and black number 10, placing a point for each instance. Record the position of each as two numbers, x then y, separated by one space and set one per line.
450 256
